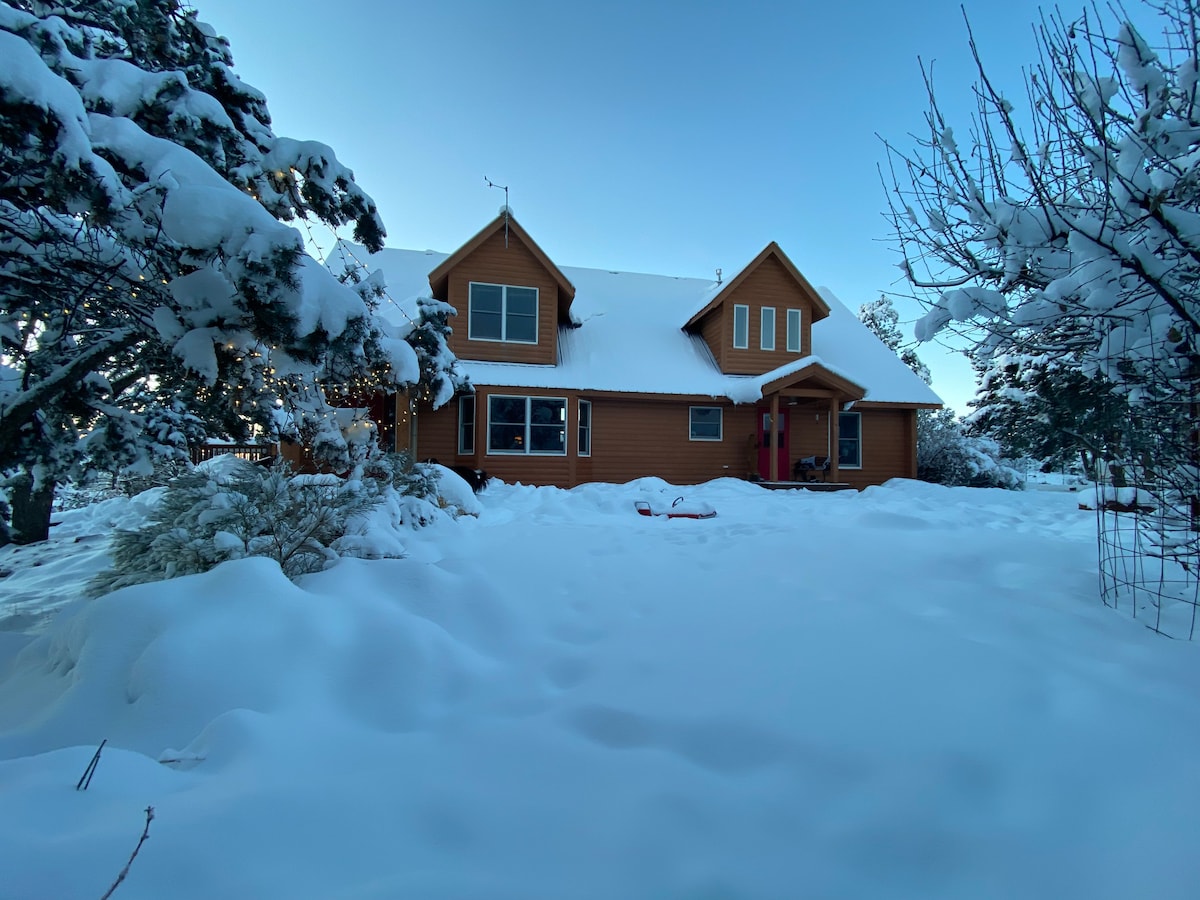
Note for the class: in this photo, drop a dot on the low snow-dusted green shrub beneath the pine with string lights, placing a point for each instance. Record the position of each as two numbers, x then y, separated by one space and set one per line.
231 509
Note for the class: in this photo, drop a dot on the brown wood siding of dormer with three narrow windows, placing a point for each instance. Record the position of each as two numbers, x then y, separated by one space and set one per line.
770 285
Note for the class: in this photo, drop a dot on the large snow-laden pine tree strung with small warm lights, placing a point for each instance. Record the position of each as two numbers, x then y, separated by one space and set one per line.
151 292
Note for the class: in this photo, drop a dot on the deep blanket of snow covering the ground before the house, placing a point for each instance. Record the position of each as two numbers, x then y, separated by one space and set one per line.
908 693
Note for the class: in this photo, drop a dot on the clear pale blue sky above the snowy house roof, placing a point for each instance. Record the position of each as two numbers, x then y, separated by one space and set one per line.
656 137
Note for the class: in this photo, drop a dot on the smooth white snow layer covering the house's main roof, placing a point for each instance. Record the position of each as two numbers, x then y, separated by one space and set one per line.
631 339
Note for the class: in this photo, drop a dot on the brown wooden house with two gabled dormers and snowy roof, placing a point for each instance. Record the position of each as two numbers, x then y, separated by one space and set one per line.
584 375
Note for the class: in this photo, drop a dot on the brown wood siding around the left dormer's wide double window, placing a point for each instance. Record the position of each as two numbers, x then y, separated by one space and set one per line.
494 263
